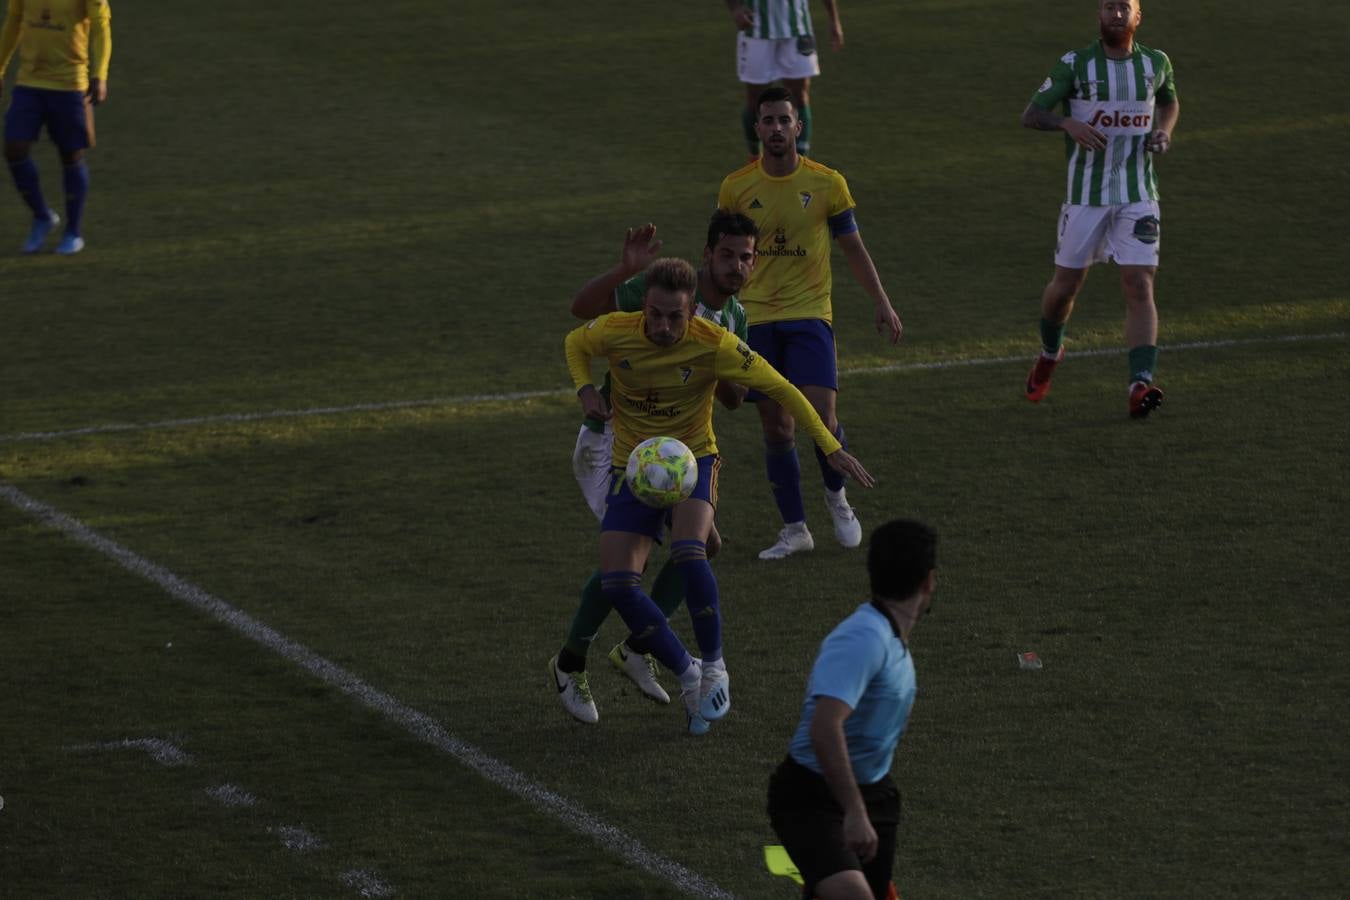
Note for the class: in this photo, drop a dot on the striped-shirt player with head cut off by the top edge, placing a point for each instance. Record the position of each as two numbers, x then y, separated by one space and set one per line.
778 44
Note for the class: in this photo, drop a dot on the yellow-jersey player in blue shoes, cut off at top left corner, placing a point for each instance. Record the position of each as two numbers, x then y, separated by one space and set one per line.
64 53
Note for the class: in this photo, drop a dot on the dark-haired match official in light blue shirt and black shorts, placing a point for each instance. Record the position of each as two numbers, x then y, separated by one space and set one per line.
834 802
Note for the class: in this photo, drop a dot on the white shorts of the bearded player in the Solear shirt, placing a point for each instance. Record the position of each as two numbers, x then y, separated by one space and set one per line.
1131 234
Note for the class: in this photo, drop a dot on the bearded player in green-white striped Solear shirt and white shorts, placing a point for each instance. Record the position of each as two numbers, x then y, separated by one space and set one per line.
1120 105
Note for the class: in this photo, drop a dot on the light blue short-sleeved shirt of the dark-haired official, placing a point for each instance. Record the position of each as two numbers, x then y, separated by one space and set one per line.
866 665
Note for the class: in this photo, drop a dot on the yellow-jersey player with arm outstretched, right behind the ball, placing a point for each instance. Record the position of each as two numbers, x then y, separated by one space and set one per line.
665 365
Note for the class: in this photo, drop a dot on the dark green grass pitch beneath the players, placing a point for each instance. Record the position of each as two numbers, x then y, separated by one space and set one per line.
308 373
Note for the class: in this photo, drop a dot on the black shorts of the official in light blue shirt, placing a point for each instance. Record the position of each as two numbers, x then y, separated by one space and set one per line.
811 825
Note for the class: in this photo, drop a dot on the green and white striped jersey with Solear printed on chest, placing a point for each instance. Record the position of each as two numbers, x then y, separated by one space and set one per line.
1117 98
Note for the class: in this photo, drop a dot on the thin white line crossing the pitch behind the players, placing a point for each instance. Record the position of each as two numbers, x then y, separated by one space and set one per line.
475 400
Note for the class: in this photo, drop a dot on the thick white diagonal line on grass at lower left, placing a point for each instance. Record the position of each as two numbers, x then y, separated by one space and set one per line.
421 725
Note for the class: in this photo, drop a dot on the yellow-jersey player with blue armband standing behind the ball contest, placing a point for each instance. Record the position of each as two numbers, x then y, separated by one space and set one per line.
800 207
